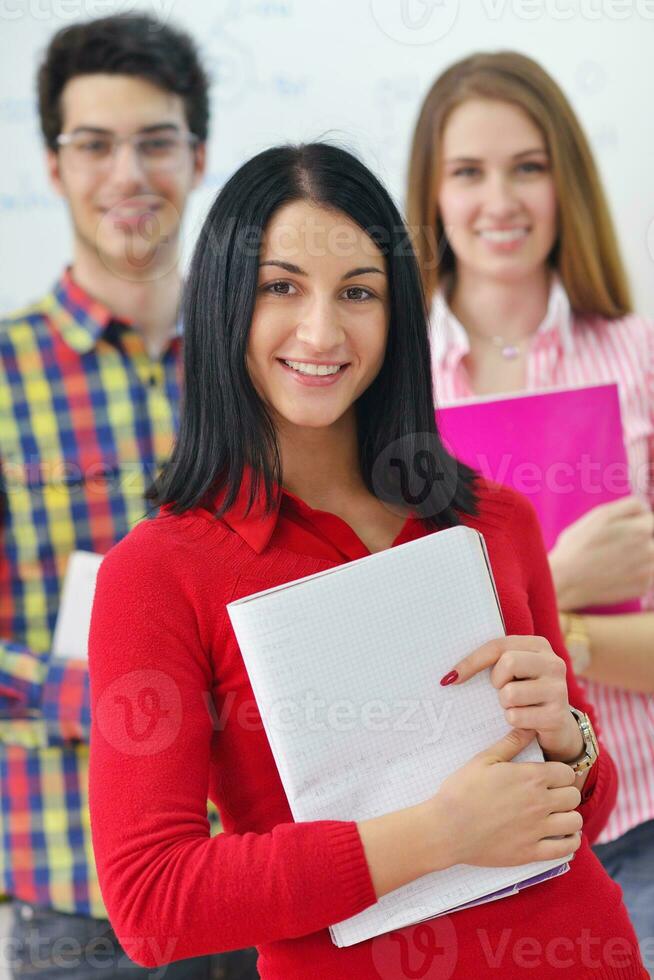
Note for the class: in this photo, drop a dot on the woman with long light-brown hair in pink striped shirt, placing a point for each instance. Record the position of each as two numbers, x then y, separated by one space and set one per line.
520 263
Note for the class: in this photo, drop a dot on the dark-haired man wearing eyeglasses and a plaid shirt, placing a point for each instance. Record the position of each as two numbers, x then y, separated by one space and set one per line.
89 390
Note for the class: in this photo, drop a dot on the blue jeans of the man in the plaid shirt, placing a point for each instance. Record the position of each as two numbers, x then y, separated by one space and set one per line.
47 945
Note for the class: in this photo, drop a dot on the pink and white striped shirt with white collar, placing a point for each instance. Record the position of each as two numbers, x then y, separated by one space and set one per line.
571 350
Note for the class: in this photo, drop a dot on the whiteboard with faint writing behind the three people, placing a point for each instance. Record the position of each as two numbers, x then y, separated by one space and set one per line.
352 70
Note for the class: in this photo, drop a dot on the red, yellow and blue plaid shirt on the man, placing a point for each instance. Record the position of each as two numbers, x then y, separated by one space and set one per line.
86 418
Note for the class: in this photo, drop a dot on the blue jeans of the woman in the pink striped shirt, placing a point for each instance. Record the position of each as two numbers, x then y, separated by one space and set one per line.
630 861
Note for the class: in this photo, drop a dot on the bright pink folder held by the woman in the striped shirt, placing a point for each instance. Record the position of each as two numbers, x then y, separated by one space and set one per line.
563 449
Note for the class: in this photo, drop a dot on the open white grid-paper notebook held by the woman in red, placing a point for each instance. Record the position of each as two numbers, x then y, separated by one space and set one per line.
345 667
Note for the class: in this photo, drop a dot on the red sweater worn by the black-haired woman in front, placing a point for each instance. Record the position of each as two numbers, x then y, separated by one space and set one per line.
175 722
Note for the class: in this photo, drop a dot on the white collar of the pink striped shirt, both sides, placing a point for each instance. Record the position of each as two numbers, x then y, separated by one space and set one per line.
450 339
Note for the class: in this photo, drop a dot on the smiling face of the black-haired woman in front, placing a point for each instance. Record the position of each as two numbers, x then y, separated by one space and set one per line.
320 325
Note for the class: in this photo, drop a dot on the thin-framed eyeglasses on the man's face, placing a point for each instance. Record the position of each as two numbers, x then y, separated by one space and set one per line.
156 152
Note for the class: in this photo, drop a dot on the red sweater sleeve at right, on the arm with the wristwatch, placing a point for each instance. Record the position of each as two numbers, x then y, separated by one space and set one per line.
600 788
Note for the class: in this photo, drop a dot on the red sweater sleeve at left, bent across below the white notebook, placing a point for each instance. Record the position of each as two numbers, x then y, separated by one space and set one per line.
171 890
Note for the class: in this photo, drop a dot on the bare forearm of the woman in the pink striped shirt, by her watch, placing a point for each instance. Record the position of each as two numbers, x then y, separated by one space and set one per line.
622 651
